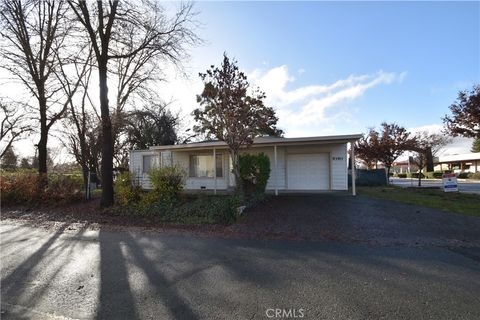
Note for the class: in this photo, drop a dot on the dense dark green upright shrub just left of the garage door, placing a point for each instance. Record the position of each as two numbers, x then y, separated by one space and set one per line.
254 172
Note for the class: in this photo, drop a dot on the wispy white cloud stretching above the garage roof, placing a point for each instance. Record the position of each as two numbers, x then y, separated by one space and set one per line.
303 108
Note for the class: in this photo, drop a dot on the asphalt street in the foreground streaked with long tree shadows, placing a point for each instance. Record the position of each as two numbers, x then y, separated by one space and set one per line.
71 272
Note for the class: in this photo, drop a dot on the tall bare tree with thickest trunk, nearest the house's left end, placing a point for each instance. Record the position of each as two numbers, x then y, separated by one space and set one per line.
107 25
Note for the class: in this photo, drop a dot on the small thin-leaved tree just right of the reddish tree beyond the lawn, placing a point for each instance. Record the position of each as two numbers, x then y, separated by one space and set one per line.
426 146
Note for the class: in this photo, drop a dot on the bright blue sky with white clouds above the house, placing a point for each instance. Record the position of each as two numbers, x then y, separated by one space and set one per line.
331 68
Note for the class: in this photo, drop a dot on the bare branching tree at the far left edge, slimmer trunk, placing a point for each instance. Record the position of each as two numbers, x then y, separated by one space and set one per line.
34 31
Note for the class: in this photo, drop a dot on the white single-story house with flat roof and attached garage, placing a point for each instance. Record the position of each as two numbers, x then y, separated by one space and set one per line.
297 164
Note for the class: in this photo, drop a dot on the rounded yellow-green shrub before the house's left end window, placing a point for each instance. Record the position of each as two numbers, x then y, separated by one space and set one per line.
167 182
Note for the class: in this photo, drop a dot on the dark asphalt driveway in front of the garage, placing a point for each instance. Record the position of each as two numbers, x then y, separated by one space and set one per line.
342 217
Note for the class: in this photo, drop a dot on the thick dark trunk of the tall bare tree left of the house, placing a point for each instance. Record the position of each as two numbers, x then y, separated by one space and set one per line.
107 142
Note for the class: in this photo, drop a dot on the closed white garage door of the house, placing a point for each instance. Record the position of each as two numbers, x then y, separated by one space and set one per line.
308 171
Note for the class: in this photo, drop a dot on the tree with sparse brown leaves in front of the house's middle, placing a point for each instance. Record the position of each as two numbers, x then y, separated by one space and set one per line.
232 111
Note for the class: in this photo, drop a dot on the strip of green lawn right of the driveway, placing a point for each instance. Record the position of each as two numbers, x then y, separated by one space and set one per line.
467 204
